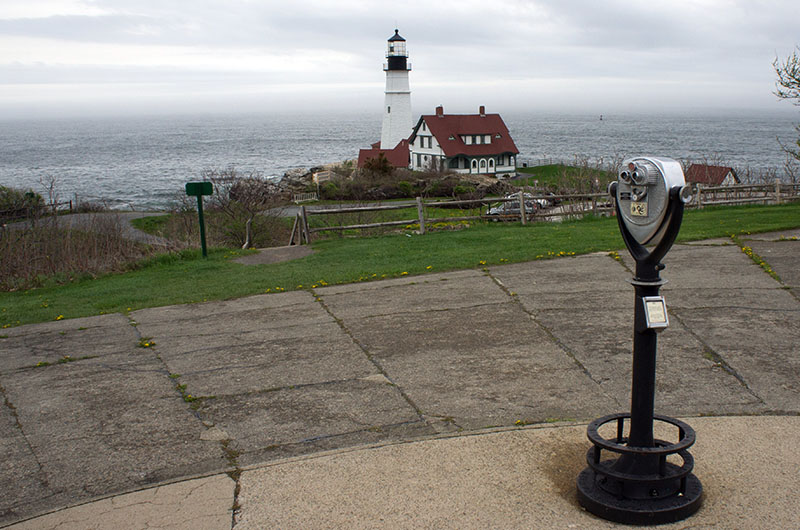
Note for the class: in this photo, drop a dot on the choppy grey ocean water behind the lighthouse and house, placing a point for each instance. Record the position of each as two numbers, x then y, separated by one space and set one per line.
143 162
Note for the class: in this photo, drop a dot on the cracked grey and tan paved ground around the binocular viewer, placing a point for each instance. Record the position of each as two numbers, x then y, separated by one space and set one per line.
445 400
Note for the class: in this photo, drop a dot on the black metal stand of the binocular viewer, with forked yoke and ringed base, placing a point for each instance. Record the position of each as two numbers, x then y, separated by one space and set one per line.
640 486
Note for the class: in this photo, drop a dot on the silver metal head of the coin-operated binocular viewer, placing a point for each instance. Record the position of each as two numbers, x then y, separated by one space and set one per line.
644 190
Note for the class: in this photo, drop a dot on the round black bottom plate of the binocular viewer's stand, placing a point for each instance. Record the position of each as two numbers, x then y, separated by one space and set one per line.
600 502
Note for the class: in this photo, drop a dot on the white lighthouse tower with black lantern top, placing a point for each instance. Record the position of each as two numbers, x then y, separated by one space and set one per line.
397 121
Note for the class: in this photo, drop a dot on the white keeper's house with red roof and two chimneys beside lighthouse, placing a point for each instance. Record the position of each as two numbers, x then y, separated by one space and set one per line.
464 143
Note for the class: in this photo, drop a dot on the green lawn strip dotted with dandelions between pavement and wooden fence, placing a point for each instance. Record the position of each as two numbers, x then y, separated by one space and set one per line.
185 277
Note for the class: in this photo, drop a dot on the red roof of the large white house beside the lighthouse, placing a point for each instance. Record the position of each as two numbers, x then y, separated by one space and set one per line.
448 129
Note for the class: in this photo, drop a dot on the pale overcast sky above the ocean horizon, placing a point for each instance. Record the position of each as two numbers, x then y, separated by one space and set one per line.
67 57
